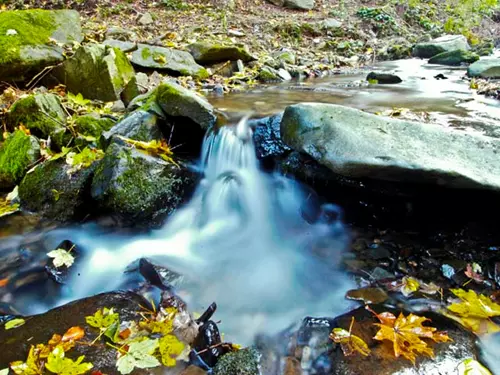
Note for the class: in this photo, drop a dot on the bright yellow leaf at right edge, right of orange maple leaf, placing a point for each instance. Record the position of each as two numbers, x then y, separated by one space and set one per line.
474 311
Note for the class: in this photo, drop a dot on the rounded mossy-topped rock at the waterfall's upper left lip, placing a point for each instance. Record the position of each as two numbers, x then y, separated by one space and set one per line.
177 101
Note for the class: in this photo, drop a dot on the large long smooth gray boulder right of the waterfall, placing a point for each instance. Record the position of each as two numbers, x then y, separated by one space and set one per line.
356 144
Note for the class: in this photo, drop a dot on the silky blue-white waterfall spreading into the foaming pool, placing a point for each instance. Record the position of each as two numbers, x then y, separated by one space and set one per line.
241 241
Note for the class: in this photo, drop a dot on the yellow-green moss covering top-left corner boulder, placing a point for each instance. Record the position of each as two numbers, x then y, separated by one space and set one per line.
33 27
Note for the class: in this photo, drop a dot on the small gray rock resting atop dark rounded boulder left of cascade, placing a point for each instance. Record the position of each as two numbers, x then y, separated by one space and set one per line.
139 125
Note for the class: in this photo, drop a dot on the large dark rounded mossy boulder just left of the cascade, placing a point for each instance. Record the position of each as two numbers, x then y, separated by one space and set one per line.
138 188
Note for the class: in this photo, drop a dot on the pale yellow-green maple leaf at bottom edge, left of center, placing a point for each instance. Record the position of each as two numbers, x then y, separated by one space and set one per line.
139 355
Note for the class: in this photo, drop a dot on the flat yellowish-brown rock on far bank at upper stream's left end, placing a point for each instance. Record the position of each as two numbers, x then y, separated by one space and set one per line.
208 53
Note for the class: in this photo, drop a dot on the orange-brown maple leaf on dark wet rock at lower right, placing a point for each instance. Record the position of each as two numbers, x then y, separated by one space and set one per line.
406 334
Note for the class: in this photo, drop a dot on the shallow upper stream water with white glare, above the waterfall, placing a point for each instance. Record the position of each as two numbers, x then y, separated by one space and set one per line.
450 100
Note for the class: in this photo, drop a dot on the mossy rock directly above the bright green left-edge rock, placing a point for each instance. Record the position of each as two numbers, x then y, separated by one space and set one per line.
43 115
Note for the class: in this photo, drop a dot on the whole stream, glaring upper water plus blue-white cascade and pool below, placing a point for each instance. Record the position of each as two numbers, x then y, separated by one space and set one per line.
230 242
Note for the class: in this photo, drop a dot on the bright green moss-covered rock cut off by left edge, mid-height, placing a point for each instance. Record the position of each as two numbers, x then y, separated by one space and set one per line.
17 154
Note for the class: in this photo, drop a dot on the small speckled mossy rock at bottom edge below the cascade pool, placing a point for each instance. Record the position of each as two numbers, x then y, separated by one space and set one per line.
242 362
